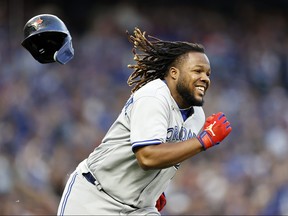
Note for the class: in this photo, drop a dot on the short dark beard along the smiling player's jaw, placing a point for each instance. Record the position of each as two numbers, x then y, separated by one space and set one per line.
187 96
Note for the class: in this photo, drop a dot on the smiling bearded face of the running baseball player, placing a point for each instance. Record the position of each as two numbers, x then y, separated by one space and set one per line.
193 79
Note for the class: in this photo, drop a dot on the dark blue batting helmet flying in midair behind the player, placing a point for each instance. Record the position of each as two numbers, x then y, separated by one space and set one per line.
47 39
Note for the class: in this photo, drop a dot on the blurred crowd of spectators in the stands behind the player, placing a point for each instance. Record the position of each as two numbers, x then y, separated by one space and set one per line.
52 116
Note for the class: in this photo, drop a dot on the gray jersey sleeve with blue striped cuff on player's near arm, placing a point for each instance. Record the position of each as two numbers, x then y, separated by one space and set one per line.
149 122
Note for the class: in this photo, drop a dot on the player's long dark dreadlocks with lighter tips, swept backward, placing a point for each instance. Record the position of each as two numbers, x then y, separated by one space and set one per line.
156 57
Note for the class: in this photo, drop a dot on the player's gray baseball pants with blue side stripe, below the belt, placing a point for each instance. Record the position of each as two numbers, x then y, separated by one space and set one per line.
81 197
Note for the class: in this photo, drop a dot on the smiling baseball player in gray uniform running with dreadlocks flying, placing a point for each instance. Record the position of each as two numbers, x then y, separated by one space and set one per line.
161 125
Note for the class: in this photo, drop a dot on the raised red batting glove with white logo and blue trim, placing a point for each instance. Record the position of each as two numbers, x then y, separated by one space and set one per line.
215 129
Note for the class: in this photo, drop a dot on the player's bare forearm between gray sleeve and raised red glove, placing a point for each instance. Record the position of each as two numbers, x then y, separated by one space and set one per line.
167 154
